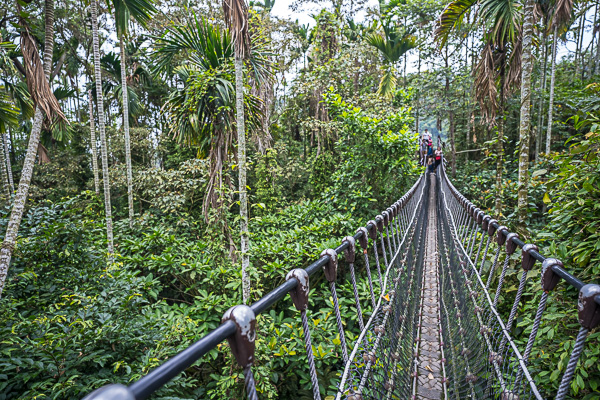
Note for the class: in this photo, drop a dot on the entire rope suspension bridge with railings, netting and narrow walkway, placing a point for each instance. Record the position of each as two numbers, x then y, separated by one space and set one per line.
430 328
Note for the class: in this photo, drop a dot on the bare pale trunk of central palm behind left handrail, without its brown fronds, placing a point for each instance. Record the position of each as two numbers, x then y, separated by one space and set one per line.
241 133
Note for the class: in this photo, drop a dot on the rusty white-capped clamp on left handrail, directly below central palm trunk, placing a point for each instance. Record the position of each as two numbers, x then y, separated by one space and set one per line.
242 342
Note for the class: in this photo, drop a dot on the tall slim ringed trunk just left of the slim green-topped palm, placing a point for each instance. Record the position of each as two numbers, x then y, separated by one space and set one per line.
102 130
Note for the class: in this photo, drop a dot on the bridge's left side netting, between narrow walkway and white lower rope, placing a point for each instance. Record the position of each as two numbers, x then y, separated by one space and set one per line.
379 365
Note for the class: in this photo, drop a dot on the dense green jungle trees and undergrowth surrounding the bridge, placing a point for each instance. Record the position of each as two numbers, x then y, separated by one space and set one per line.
131 186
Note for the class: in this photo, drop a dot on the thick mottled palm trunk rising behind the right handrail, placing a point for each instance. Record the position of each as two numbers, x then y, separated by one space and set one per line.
525 120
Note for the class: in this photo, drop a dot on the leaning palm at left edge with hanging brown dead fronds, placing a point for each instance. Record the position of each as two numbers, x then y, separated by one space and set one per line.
38 76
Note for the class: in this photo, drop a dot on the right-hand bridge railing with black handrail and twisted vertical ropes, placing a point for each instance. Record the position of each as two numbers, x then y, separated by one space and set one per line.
473 223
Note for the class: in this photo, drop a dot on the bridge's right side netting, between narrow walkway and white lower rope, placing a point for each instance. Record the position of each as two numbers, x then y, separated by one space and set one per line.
491 372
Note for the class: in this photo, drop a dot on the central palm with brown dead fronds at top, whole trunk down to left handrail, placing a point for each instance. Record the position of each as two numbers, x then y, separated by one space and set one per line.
236 19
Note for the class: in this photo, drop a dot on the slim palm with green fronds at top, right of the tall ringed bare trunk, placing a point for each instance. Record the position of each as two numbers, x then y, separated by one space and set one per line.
141 11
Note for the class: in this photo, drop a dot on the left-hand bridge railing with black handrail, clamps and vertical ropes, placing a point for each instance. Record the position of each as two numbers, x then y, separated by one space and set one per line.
382 235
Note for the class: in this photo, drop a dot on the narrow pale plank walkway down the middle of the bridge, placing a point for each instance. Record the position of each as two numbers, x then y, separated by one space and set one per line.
429 371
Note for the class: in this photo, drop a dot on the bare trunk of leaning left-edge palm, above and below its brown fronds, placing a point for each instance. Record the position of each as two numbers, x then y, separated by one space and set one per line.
16 214
